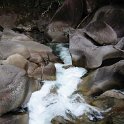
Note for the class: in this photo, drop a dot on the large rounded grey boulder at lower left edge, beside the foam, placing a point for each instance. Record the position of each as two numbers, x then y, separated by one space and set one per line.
15 88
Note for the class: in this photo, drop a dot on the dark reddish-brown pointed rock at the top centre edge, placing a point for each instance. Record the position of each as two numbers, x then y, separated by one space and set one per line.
70 12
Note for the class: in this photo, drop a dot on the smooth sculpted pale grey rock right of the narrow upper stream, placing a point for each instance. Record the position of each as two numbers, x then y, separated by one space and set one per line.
86 53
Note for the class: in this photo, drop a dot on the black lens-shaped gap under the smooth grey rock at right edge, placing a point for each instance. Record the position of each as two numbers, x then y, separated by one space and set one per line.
109 62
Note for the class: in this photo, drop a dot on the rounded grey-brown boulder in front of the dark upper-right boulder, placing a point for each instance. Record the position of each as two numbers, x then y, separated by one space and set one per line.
101 33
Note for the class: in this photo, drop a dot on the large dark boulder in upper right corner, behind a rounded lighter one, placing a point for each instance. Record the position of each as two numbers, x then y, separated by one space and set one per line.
113 16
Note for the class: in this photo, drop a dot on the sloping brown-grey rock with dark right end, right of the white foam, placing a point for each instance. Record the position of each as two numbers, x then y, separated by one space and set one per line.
104 79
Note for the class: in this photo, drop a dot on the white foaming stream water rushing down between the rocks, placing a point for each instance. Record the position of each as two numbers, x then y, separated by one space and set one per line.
57 98
